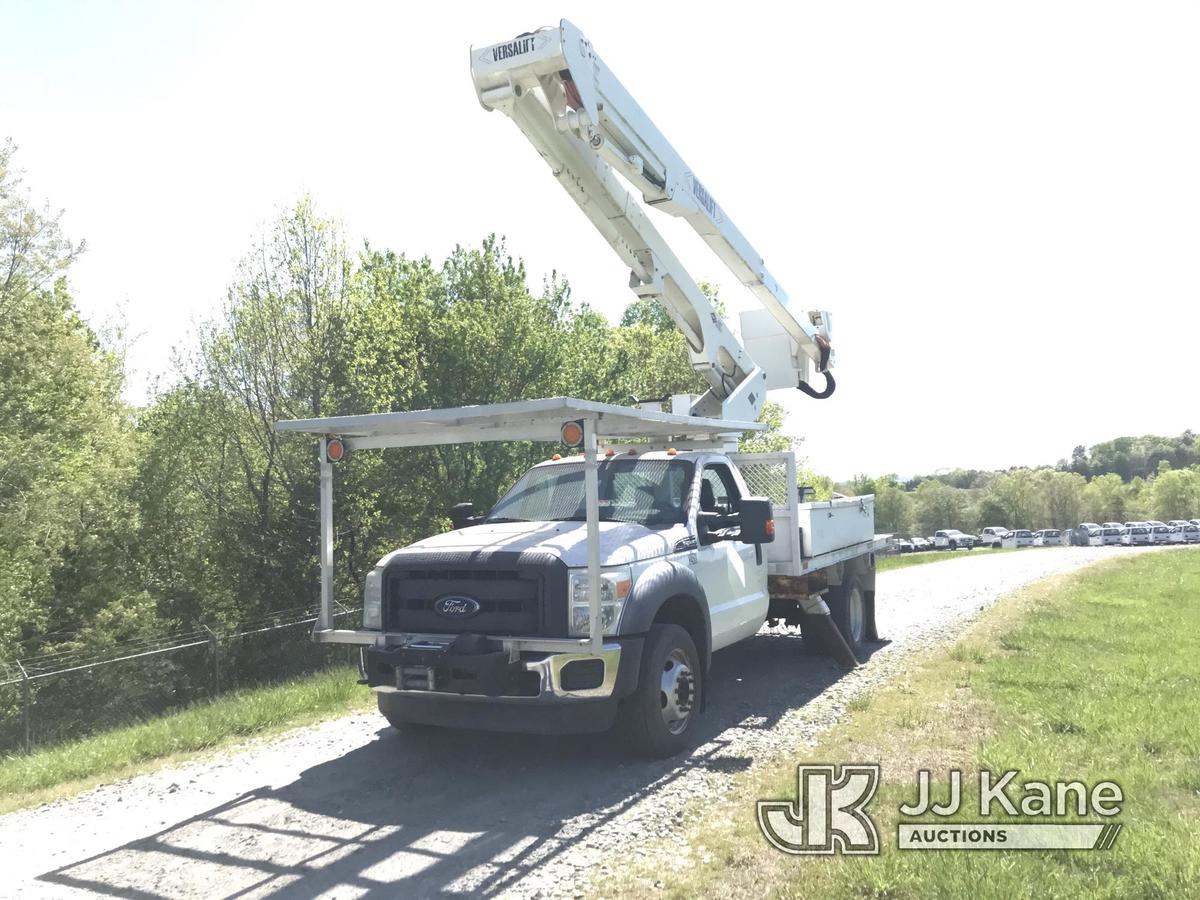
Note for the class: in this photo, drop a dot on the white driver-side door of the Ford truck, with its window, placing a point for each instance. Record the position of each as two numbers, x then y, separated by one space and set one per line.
734 579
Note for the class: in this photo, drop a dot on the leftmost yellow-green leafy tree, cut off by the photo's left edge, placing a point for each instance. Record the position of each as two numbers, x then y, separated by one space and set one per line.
65 550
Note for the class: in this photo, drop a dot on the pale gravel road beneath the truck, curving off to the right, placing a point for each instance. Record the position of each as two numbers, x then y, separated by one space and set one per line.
352 808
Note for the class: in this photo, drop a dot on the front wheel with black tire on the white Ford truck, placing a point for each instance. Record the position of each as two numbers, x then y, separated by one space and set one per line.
669 653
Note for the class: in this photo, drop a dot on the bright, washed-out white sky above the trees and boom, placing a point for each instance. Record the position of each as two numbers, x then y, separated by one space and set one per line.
999 203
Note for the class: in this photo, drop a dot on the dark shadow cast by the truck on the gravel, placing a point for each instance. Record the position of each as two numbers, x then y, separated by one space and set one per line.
453 812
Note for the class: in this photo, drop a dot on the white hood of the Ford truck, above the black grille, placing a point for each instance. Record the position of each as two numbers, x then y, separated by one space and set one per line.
621 543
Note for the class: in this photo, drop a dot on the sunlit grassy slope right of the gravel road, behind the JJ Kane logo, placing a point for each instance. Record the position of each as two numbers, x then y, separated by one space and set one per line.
1093 677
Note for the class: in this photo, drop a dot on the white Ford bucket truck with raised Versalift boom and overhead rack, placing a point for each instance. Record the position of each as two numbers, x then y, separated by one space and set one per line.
598 589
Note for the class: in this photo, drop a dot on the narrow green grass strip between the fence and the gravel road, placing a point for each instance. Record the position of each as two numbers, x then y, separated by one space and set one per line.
67 769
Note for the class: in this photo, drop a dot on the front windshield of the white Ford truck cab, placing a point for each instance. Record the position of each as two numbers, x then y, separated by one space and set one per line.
650 493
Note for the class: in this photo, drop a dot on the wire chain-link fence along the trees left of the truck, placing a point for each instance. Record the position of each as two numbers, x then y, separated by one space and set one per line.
64 695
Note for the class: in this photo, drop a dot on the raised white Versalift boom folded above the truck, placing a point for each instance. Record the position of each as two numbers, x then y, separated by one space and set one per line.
589 129
